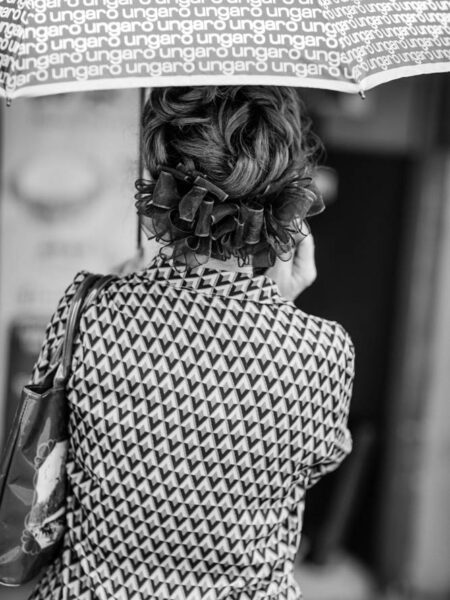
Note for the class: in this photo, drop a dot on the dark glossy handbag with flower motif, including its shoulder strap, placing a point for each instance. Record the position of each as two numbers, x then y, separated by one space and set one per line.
32 471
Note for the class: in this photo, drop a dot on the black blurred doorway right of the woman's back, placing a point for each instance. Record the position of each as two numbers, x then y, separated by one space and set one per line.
357 240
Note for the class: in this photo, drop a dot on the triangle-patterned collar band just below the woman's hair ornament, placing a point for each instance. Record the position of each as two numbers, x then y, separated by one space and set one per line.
212 281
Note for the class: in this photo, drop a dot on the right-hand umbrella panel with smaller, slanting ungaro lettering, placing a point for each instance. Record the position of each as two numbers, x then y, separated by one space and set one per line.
390 39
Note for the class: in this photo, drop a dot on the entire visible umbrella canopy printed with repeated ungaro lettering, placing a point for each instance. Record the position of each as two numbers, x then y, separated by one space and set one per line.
54 46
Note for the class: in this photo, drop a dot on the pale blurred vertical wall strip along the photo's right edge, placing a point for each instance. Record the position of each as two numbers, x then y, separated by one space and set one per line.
430 560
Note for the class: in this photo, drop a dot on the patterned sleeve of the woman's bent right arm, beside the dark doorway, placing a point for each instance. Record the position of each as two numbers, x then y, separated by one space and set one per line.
341 439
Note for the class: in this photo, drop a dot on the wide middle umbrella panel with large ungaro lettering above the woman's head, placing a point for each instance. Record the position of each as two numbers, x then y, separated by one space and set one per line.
137 42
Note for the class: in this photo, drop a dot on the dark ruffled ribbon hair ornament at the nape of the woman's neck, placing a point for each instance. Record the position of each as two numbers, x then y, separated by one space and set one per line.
196 220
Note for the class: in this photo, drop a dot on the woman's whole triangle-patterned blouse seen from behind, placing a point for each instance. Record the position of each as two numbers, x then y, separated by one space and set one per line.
202 407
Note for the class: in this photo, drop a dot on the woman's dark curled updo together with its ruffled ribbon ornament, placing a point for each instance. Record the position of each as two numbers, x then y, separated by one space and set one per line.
230 171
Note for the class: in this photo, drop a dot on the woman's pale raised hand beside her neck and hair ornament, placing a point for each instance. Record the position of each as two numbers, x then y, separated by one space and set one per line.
298 273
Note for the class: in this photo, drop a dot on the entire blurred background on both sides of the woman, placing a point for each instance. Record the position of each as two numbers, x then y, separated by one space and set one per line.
379 527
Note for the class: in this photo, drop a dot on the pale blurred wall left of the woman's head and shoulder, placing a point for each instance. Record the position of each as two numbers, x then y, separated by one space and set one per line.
68 168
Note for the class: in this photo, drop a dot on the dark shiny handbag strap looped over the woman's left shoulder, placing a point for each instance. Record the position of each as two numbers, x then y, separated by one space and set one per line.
84 295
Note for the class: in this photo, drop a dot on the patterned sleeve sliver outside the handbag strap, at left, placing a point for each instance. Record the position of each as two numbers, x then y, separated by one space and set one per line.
54 332
